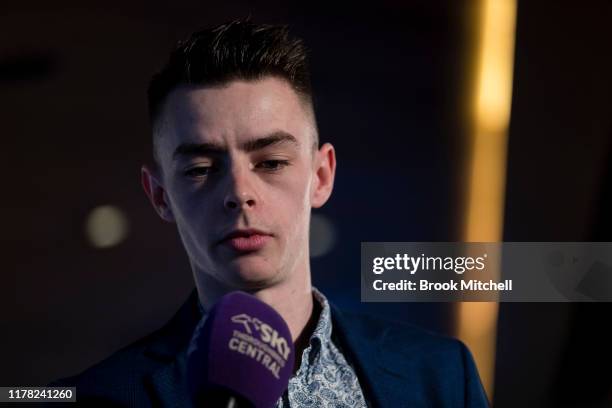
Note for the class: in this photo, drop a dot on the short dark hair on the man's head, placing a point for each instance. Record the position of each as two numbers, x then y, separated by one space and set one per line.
232 51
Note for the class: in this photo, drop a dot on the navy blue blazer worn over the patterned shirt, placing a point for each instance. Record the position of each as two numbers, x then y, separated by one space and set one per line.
397 365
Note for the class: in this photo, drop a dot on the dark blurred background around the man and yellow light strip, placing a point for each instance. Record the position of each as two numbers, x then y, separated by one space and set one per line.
390 82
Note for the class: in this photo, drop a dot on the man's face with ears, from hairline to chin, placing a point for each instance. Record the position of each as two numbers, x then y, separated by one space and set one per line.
239 177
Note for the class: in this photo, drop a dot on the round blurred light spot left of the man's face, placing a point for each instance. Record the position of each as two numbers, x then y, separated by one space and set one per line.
106 226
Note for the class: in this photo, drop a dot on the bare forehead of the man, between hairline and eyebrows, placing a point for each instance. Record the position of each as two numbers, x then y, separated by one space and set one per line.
235 113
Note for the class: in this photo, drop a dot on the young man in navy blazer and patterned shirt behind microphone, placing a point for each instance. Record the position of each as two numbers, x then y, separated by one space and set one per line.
238 168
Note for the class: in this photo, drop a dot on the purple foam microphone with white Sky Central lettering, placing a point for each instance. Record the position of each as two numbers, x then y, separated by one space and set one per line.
241 356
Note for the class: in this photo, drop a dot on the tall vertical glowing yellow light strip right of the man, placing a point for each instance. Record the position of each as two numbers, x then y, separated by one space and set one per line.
486 166
